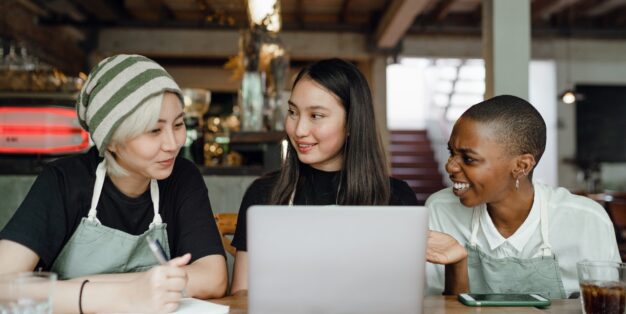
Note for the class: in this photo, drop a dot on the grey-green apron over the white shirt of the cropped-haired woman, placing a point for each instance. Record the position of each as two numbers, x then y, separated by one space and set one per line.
539 274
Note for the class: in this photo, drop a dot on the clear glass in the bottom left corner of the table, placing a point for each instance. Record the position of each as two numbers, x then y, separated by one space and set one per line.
27 293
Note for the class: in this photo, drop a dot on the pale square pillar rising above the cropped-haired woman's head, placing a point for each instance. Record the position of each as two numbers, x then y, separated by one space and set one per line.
506 46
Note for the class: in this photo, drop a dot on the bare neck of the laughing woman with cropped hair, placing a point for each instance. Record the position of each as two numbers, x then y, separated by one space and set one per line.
510 213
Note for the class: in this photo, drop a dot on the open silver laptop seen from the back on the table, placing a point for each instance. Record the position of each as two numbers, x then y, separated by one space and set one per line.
336 259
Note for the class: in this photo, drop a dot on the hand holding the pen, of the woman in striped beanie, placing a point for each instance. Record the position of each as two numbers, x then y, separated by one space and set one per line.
160 289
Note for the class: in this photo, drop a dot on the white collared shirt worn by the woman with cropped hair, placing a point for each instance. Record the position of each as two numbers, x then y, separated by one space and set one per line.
579 229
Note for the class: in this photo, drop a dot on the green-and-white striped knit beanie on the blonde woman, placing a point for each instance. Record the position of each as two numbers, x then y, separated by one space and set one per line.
115 88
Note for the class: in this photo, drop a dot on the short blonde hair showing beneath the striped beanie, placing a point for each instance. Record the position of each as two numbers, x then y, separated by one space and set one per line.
137 123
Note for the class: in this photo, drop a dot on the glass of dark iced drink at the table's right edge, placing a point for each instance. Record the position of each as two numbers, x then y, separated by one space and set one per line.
602 287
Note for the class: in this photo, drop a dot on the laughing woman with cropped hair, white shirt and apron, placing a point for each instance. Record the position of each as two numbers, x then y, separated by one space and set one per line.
521 236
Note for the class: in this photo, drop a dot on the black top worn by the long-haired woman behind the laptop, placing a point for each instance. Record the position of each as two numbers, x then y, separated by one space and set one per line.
320 188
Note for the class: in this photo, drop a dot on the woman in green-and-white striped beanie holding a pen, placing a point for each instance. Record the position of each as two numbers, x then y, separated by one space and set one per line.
87 217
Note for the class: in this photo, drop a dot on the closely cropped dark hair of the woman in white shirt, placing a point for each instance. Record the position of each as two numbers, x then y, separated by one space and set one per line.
519 126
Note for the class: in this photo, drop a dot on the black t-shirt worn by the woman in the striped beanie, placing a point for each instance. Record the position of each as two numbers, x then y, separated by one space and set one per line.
61 197
